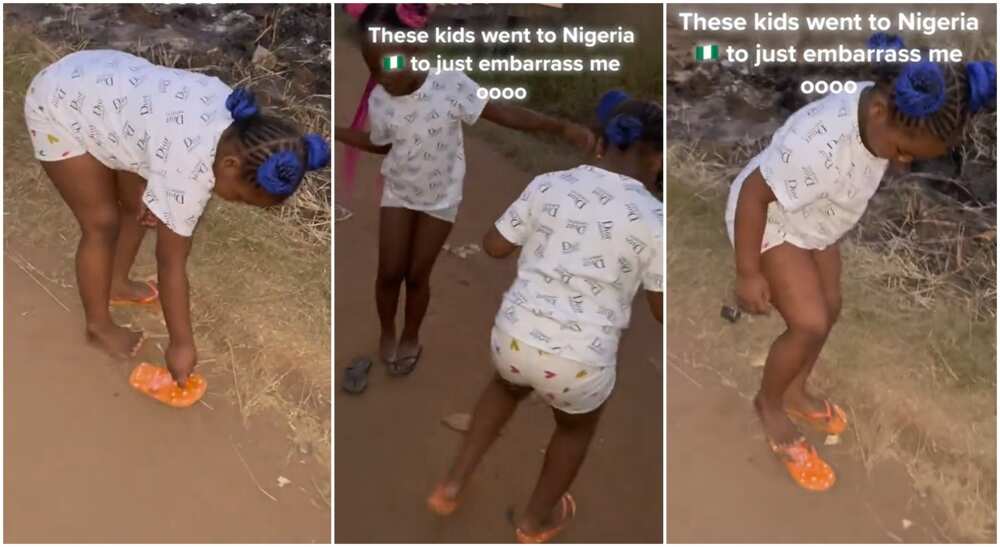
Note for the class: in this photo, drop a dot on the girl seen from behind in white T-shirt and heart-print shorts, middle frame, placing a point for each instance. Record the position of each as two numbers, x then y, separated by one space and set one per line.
591 236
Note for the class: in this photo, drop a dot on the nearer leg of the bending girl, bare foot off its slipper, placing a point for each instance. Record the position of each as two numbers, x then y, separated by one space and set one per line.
88 187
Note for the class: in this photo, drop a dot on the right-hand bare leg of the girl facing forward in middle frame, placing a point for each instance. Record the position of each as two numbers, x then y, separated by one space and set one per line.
428 239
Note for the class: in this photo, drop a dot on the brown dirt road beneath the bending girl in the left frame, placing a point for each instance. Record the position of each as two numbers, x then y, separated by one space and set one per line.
87 459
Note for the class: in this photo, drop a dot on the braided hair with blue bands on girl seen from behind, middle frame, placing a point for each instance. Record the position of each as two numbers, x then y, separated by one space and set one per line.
625 121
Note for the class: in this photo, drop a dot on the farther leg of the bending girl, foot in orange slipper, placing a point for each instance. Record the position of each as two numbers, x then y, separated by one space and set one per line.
129 187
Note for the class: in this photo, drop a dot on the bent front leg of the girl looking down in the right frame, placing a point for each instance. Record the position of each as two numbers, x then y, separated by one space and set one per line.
797 293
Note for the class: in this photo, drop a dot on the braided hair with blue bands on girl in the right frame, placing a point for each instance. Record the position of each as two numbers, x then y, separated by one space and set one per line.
932 97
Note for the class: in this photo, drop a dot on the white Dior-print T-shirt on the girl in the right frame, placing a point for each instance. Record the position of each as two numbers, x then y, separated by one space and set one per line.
821 173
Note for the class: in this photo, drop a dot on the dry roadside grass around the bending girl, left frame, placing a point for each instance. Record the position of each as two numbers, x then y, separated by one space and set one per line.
260 279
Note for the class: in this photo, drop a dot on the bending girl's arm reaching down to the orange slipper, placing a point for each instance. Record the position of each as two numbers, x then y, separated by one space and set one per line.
171 263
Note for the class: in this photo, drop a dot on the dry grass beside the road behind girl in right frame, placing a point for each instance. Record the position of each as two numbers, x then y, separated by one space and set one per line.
917 375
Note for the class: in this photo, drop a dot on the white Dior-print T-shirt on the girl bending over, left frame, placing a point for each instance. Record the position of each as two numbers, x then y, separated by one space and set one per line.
161 123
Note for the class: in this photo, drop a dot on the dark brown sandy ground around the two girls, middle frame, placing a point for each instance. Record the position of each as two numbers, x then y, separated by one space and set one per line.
389 445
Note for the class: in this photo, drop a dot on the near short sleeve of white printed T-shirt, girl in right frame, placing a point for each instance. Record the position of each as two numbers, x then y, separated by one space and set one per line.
797 165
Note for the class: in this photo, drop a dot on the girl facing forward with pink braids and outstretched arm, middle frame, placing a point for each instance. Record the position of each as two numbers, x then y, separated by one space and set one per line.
416 121
